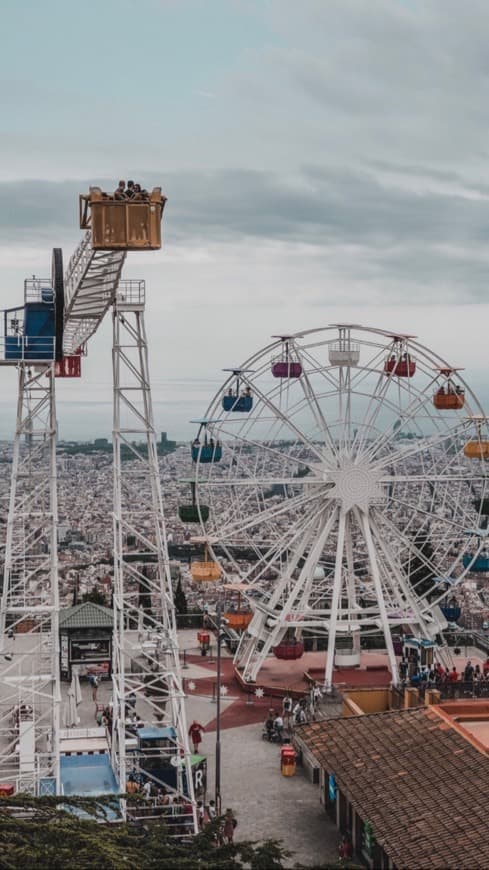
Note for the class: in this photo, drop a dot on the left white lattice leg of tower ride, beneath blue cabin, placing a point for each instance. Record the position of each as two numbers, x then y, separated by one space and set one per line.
30 696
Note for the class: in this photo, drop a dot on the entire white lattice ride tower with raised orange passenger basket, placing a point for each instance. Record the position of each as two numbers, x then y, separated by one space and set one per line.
45 339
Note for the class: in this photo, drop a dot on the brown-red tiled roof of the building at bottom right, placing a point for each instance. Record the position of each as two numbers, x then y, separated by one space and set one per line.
421 785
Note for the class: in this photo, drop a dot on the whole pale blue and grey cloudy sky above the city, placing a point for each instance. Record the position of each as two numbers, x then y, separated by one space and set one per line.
324 160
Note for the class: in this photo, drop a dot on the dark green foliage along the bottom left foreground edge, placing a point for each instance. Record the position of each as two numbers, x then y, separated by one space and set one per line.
41 832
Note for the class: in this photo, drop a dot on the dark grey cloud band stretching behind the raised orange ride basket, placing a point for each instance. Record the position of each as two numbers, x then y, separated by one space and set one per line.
400 236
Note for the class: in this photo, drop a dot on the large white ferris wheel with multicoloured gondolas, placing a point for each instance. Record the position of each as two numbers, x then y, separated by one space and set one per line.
350 463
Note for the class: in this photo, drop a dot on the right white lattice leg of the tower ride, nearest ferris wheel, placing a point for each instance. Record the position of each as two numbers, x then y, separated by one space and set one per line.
145 657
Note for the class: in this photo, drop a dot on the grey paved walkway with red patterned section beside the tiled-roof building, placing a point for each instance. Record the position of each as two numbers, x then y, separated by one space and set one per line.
267 805
